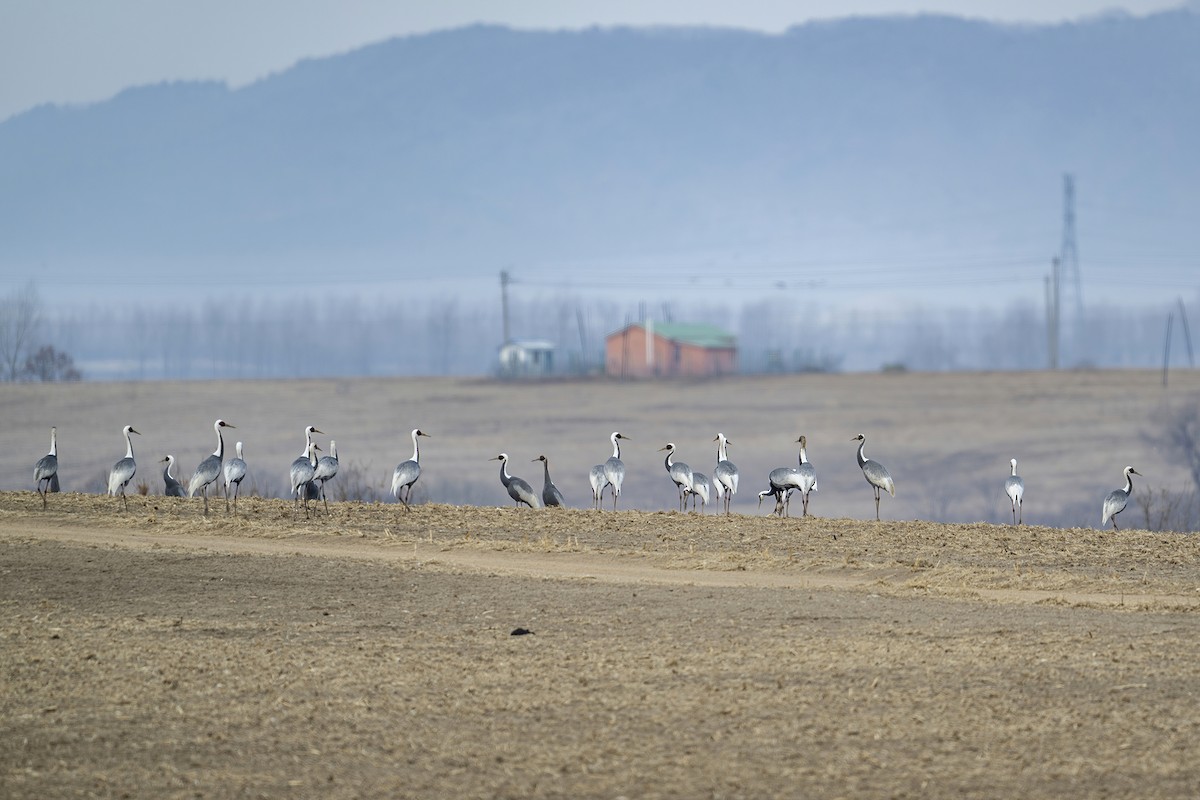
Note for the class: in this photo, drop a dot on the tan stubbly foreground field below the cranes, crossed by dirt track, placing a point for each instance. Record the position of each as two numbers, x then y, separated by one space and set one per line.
370 654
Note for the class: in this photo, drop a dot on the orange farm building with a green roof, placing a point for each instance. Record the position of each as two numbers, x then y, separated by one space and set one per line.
670 350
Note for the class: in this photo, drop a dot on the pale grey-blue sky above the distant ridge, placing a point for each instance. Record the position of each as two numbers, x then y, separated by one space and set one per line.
83 51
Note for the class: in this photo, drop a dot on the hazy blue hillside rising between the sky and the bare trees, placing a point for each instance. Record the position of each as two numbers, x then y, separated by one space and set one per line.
483 147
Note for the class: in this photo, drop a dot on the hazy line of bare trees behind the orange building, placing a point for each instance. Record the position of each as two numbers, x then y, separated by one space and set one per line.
445 335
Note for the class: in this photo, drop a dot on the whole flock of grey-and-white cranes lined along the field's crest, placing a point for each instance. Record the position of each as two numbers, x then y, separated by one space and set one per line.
310 473
